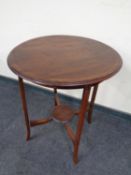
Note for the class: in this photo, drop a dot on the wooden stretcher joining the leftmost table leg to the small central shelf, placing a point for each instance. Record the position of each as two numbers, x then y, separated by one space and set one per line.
40 121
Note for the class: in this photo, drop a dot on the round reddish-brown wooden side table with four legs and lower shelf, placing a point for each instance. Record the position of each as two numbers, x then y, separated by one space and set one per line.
64 62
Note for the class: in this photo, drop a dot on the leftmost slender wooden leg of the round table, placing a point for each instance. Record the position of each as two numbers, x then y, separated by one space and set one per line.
24 106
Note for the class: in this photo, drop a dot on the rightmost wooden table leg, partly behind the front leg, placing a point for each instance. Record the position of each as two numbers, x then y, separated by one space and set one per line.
91 105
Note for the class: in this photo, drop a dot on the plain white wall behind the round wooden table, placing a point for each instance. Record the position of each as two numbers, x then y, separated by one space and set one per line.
106 20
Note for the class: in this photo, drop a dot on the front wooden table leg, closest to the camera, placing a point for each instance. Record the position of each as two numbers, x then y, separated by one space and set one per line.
84 103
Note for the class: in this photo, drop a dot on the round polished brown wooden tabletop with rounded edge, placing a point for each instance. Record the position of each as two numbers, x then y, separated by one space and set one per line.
64 61
